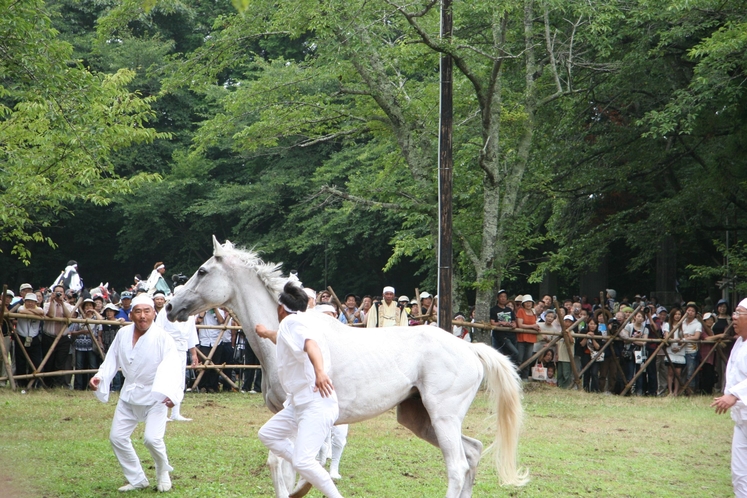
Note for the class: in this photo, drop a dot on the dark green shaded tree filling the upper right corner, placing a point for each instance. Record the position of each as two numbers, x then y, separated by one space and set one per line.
655 149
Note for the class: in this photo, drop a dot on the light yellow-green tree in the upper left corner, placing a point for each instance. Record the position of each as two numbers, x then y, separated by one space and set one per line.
59 126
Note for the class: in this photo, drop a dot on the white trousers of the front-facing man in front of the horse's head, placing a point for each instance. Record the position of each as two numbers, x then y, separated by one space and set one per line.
126 418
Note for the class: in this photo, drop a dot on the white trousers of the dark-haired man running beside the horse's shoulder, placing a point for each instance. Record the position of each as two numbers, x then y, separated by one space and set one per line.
309 424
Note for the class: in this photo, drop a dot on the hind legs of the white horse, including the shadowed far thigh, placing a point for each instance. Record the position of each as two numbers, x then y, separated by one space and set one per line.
461 460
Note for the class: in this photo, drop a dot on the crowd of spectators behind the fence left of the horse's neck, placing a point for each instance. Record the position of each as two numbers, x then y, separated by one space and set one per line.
72 347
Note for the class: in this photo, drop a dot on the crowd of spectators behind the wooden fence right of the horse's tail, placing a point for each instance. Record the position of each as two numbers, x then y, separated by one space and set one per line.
694 336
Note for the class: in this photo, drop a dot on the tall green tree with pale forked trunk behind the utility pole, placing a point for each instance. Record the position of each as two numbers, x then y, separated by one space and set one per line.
367 85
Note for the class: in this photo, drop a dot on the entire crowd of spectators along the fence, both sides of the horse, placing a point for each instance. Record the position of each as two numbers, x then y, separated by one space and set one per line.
522 328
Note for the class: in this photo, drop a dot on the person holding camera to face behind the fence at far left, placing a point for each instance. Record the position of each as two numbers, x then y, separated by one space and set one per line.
61 359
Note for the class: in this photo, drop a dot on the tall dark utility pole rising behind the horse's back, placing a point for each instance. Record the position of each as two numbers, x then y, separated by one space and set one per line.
445 169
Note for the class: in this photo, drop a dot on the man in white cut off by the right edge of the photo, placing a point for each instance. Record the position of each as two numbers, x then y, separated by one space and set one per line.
735 395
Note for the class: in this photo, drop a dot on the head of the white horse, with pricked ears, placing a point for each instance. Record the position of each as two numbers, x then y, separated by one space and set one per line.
210 287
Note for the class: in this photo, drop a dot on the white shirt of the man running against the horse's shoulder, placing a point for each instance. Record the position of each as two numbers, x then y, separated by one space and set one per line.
294 367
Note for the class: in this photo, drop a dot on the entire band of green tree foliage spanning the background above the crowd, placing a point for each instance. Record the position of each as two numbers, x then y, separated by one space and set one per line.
584 130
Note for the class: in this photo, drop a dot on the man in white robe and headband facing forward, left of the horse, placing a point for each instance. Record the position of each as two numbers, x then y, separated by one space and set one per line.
149 361
